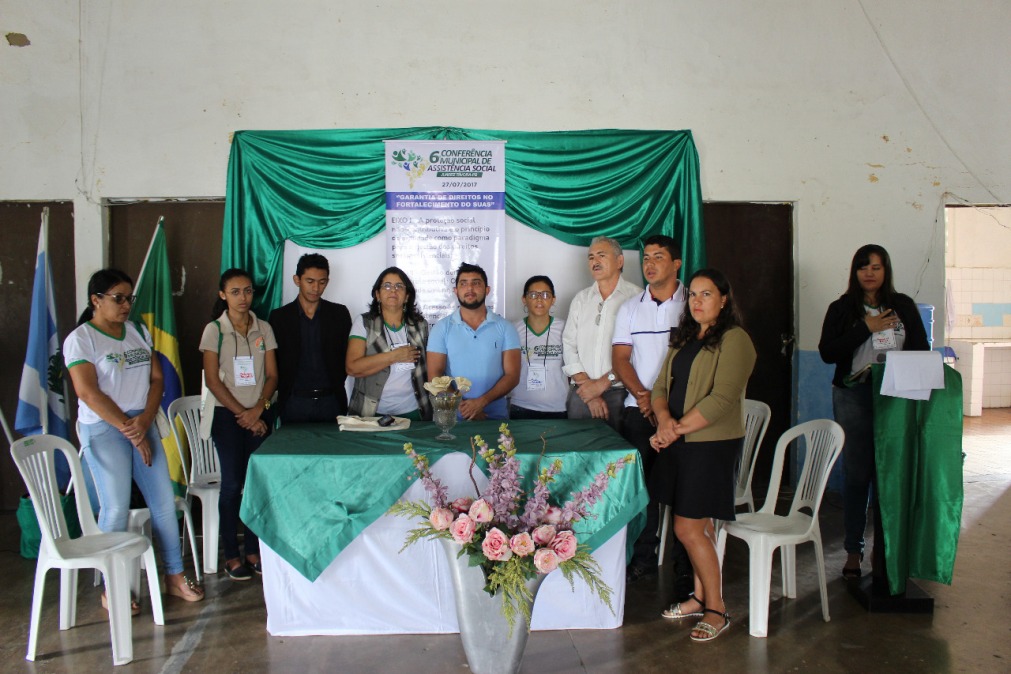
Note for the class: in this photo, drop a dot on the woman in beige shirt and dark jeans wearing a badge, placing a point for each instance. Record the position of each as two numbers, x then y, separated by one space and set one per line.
240 369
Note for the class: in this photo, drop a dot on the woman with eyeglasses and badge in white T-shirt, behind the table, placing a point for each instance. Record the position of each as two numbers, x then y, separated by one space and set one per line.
543 388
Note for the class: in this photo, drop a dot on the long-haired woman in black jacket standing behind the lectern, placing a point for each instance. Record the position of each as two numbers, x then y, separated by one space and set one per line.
869 321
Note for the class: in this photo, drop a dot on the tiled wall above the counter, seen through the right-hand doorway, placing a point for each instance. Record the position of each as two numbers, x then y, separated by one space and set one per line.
982 303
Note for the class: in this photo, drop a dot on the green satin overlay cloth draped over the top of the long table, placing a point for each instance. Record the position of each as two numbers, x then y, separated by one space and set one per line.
311 489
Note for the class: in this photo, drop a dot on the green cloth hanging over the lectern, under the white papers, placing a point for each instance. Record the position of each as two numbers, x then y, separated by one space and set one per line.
918 458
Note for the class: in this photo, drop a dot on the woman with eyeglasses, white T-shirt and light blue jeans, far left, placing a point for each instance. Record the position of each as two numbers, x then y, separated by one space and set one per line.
119 384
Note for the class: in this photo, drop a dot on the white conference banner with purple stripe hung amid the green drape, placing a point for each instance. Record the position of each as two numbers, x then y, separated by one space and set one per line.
446 206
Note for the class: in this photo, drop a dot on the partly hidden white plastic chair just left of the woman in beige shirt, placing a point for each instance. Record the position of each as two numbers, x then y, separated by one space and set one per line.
205 479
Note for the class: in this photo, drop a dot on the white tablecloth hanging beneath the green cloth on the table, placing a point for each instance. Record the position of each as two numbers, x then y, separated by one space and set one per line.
373 589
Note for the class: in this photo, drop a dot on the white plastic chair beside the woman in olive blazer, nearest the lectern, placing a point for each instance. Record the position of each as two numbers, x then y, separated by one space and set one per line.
765 531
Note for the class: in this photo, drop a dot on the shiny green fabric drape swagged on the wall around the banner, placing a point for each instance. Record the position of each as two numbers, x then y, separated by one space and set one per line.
326 189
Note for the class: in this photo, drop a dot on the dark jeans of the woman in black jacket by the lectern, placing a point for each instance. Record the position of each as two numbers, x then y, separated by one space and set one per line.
854 411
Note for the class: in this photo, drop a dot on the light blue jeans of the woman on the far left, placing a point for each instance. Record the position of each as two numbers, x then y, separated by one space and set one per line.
116 465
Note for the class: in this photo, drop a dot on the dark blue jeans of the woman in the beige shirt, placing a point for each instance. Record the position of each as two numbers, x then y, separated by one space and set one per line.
235 445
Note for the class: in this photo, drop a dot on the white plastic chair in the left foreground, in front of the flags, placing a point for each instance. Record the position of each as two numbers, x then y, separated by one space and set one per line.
114 554
